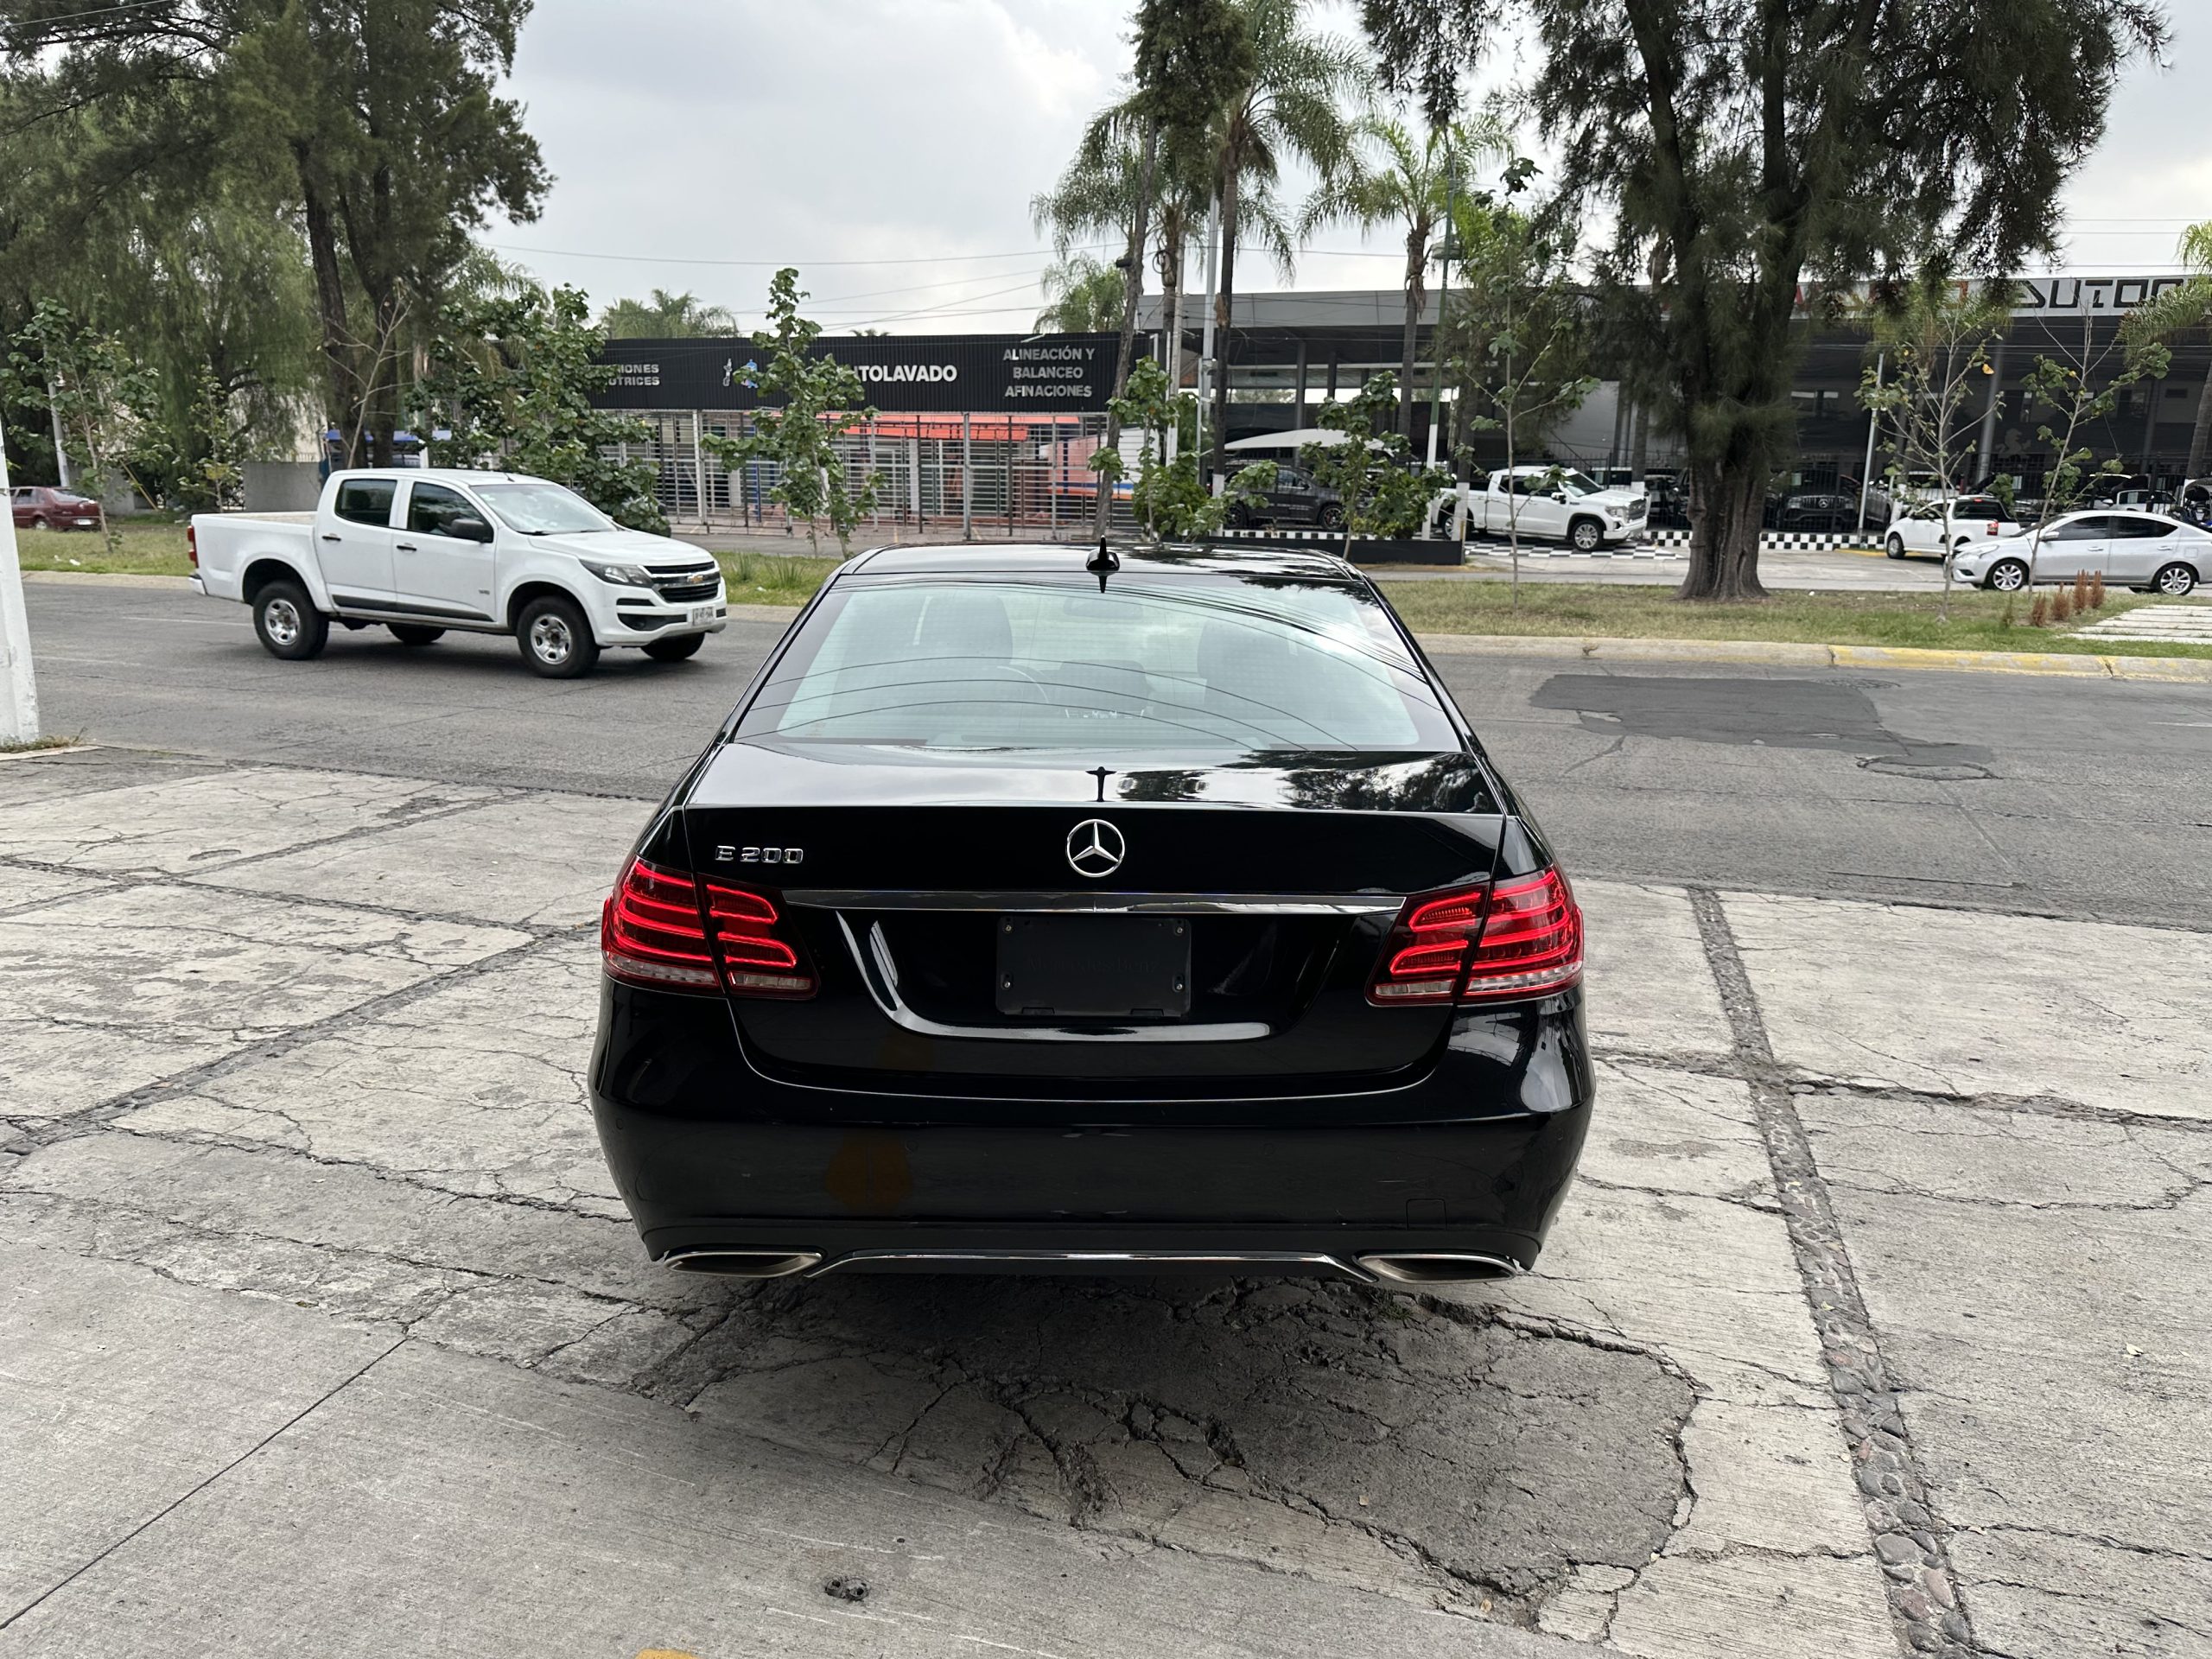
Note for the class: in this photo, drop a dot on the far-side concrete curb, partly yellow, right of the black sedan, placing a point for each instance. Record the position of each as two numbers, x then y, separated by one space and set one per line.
2191 671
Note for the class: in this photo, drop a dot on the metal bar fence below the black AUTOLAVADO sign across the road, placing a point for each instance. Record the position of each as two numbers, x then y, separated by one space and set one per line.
983 474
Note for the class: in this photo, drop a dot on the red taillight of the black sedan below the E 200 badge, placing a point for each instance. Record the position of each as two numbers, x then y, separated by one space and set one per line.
662 930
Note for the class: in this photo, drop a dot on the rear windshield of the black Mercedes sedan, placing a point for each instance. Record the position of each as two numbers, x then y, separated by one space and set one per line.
1207 665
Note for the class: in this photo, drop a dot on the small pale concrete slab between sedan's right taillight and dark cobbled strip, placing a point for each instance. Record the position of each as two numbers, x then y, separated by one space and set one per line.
1647 972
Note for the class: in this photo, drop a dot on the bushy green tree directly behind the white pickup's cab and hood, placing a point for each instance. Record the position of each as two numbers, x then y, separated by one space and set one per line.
512 382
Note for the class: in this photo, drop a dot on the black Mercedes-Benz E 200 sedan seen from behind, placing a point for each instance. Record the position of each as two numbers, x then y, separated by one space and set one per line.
1094 910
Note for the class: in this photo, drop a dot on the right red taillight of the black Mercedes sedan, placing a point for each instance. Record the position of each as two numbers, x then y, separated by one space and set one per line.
1519 939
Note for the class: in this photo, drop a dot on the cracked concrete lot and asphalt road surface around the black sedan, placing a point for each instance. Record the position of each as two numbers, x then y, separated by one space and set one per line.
1875 1322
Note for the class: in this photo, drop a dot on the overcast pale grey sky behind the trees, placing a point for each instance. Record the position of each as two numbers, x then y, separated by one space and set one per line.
890 152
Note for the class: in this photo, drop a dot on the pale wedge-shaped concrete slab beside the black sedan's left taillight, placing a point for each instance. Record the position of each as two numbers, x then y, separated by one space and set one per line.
543 862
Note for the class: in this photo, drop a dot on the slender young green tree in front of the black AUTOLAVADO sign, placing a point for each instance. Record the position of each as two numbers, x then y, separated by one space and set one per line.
817 401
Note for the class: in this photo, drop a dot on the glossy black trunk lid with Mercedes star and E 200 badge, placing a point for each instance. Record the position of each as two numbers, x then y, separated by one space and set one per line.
917 879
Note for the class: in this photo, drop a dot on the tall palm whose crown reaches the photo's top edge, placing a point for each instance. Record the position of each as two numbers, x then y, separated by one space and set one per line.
1291 107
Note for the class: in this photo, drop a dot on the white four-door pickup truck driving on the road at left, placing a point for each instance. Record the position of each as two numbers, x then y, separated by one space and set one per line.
421 552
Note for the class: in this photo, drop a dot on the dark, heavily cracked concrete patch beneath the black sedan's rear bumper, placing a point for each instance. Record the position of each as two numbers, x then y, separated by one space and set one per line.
1311 1428
